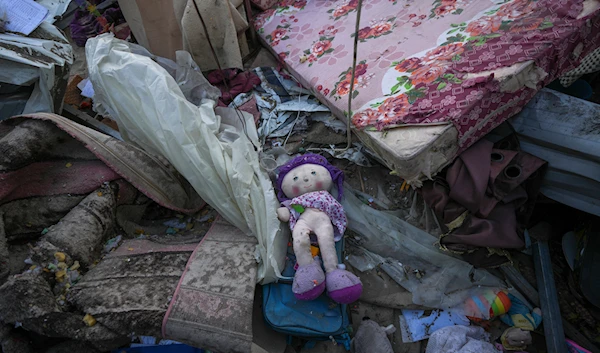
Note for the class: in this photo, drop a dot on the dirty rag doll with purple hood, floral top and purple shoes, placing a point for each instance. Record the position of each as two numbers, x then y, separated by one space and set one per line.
304 184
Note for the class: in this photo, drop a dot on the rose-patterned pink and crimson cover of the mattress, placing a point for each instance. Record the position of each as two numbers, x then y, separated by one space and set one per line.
430 61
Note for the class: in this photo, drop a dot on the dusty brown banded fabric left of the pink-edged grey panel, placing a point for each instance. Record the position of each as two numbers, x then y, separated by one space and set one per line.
130 289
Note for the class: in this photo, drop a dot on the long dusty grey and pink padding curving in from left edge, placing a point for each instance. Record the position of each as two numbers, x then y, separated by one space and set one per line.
45 142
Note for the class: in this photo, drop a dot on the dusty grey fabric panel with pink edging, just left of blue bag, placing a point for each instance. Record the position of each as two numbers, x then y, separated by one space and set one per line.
212 305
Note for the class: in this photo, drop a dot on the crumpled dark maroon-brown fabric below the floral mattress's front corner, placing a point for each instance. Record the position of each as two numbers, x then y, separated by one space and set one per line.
485 199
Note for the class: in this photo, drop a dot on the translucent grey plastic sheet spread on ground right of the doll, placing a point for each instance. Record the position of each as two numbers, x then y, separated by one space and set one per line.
408 255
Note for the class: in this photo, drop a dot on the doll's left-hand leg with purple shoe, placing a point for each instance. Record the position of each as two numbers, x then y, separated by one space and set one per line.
309 280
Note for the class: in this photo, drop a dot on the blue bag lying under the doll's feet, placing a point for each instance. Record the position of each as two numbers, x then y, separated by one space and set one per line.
313 320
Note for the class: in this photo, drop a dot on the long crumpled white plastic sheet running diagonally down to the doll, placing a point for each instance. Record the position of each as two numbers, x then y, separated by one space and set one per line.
210 150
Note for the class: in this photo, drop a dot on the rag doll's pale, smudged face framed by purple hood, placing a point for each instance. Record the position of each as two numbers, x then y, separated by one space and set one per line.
306 178
